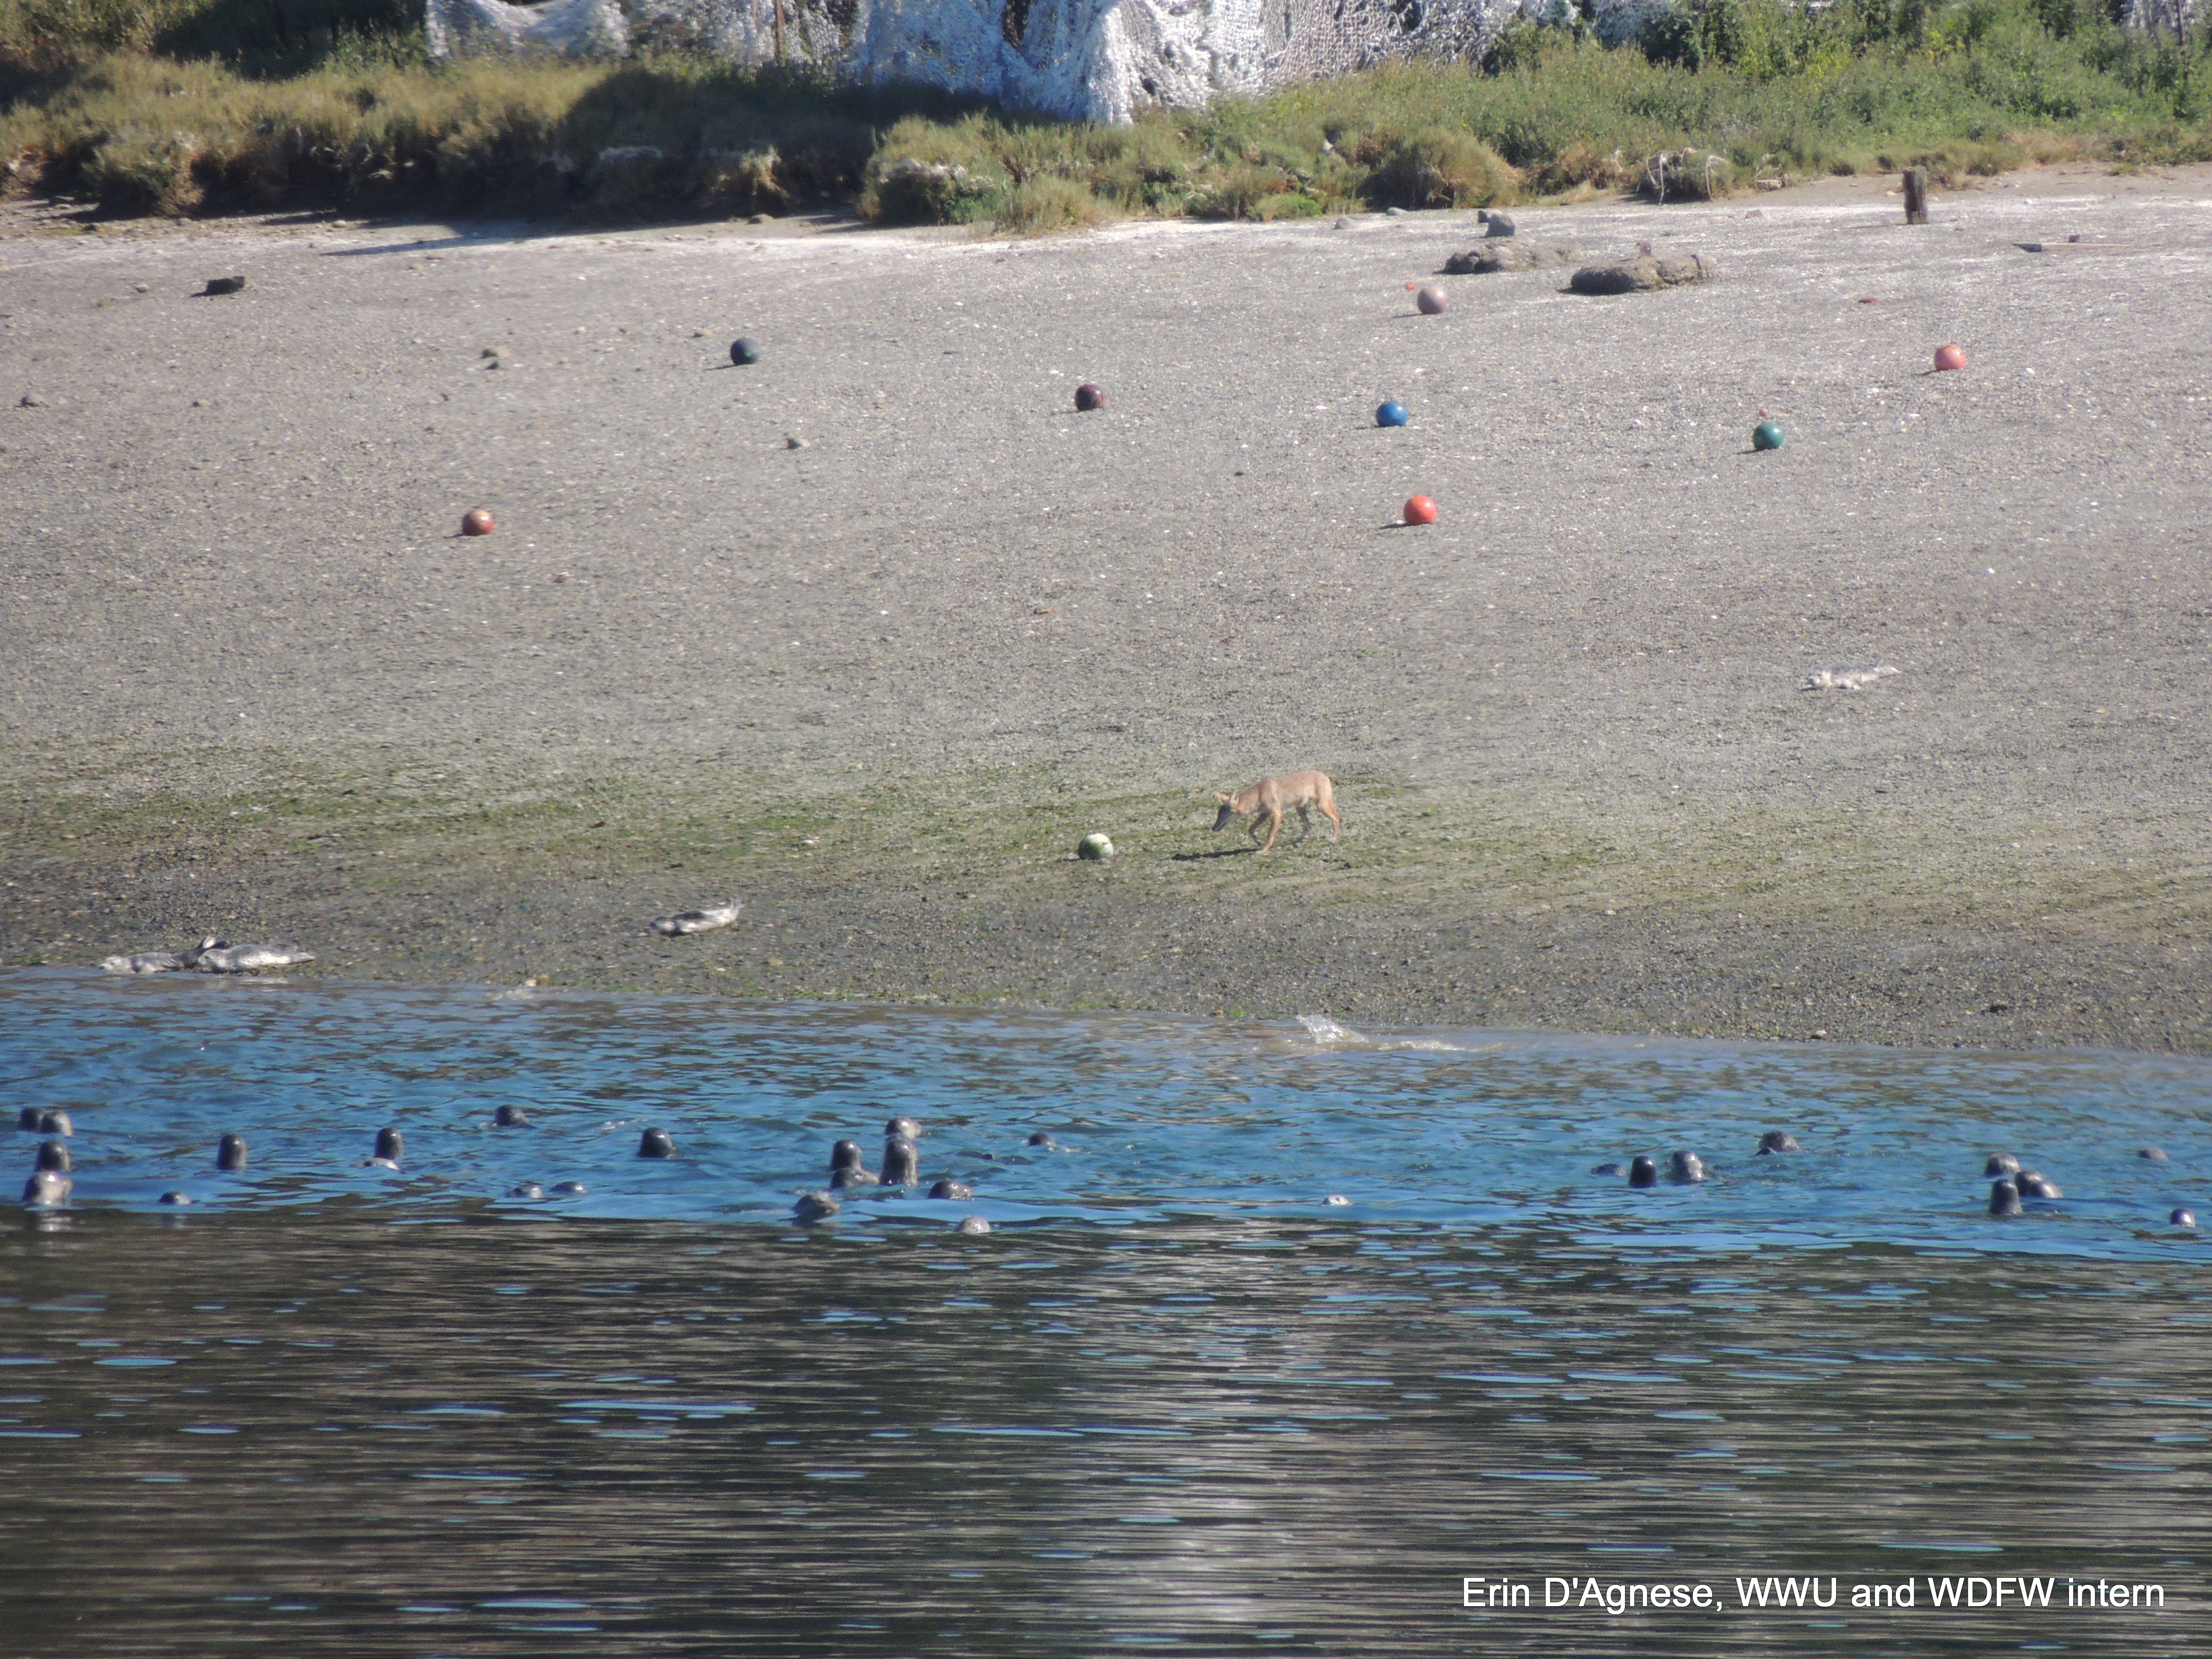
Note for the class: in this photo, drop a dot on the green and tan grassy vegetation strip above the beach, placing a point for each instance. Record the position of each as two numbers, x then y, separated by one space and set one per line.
187 107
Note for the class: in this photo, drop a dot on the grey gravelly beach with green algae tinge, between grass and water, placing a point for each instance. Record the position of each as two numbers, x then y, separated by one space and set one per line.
870 634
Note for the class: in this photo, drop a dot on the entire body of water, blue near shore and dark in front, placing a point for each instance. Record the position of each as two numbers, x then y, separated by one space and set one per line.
1176 1401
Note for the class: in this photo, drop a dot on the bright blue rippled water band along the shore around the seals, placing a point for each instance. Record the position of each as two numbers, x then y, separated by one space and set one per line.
1151 1116
